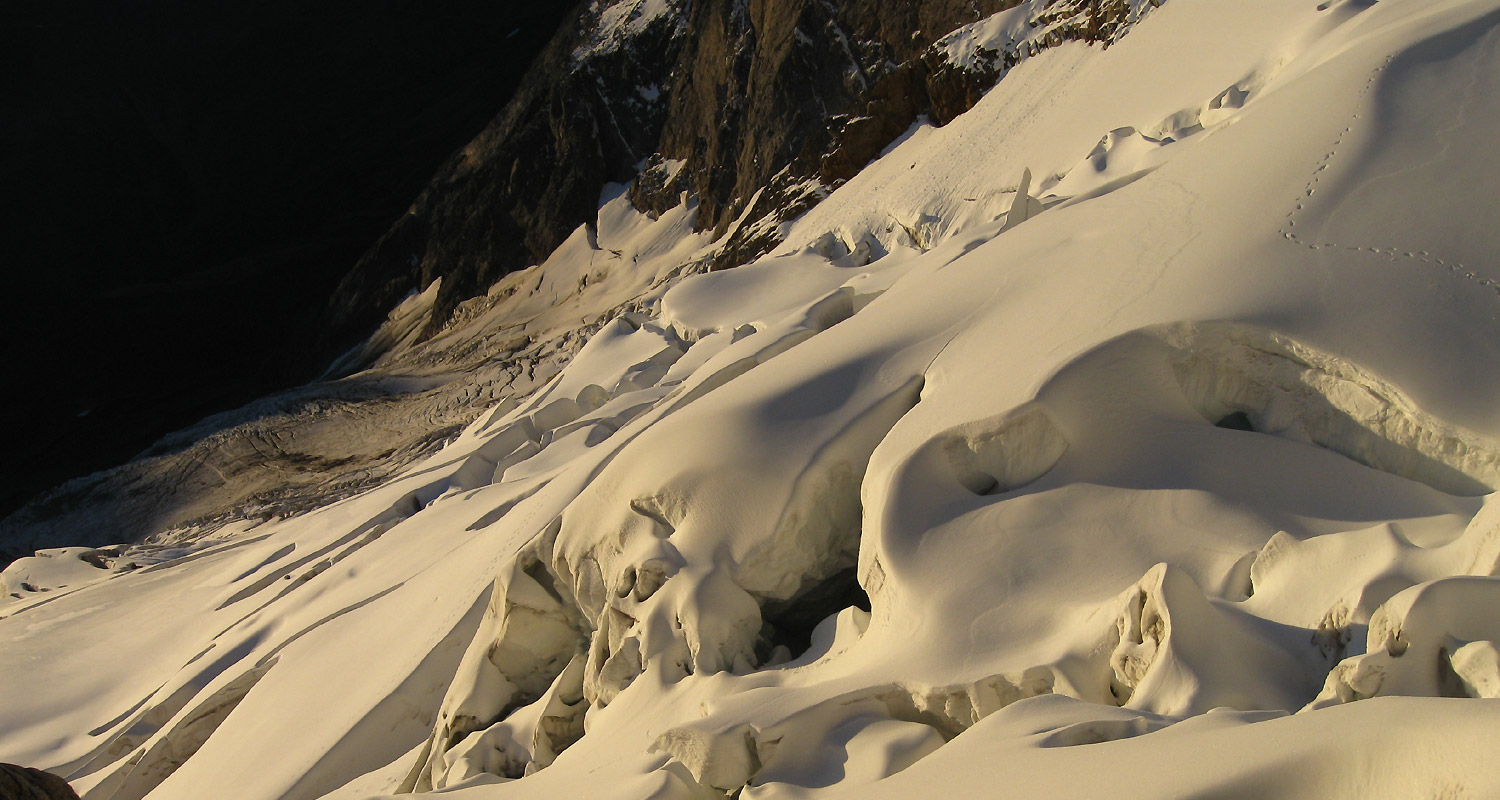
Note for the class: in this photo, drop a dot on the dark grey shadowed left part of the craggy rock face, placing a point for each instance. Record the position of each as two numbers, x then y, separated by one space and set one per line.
587 113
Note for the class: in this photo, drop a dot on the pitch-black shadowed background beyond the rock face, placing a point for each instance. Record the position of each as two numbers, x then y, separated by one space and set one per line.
184 184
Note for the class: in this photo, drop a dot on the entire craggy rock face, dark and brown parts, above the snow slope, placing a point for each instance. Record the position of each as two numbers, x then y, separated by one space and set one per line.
757 109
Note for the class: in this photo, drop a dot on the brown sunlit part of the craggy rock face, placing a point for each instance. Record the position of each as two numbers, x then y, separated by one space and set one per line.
766 88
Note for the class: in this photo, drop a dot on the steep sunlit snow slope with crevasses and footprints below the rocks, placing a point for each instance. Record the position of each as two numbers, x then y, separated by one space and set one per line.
1144 415
